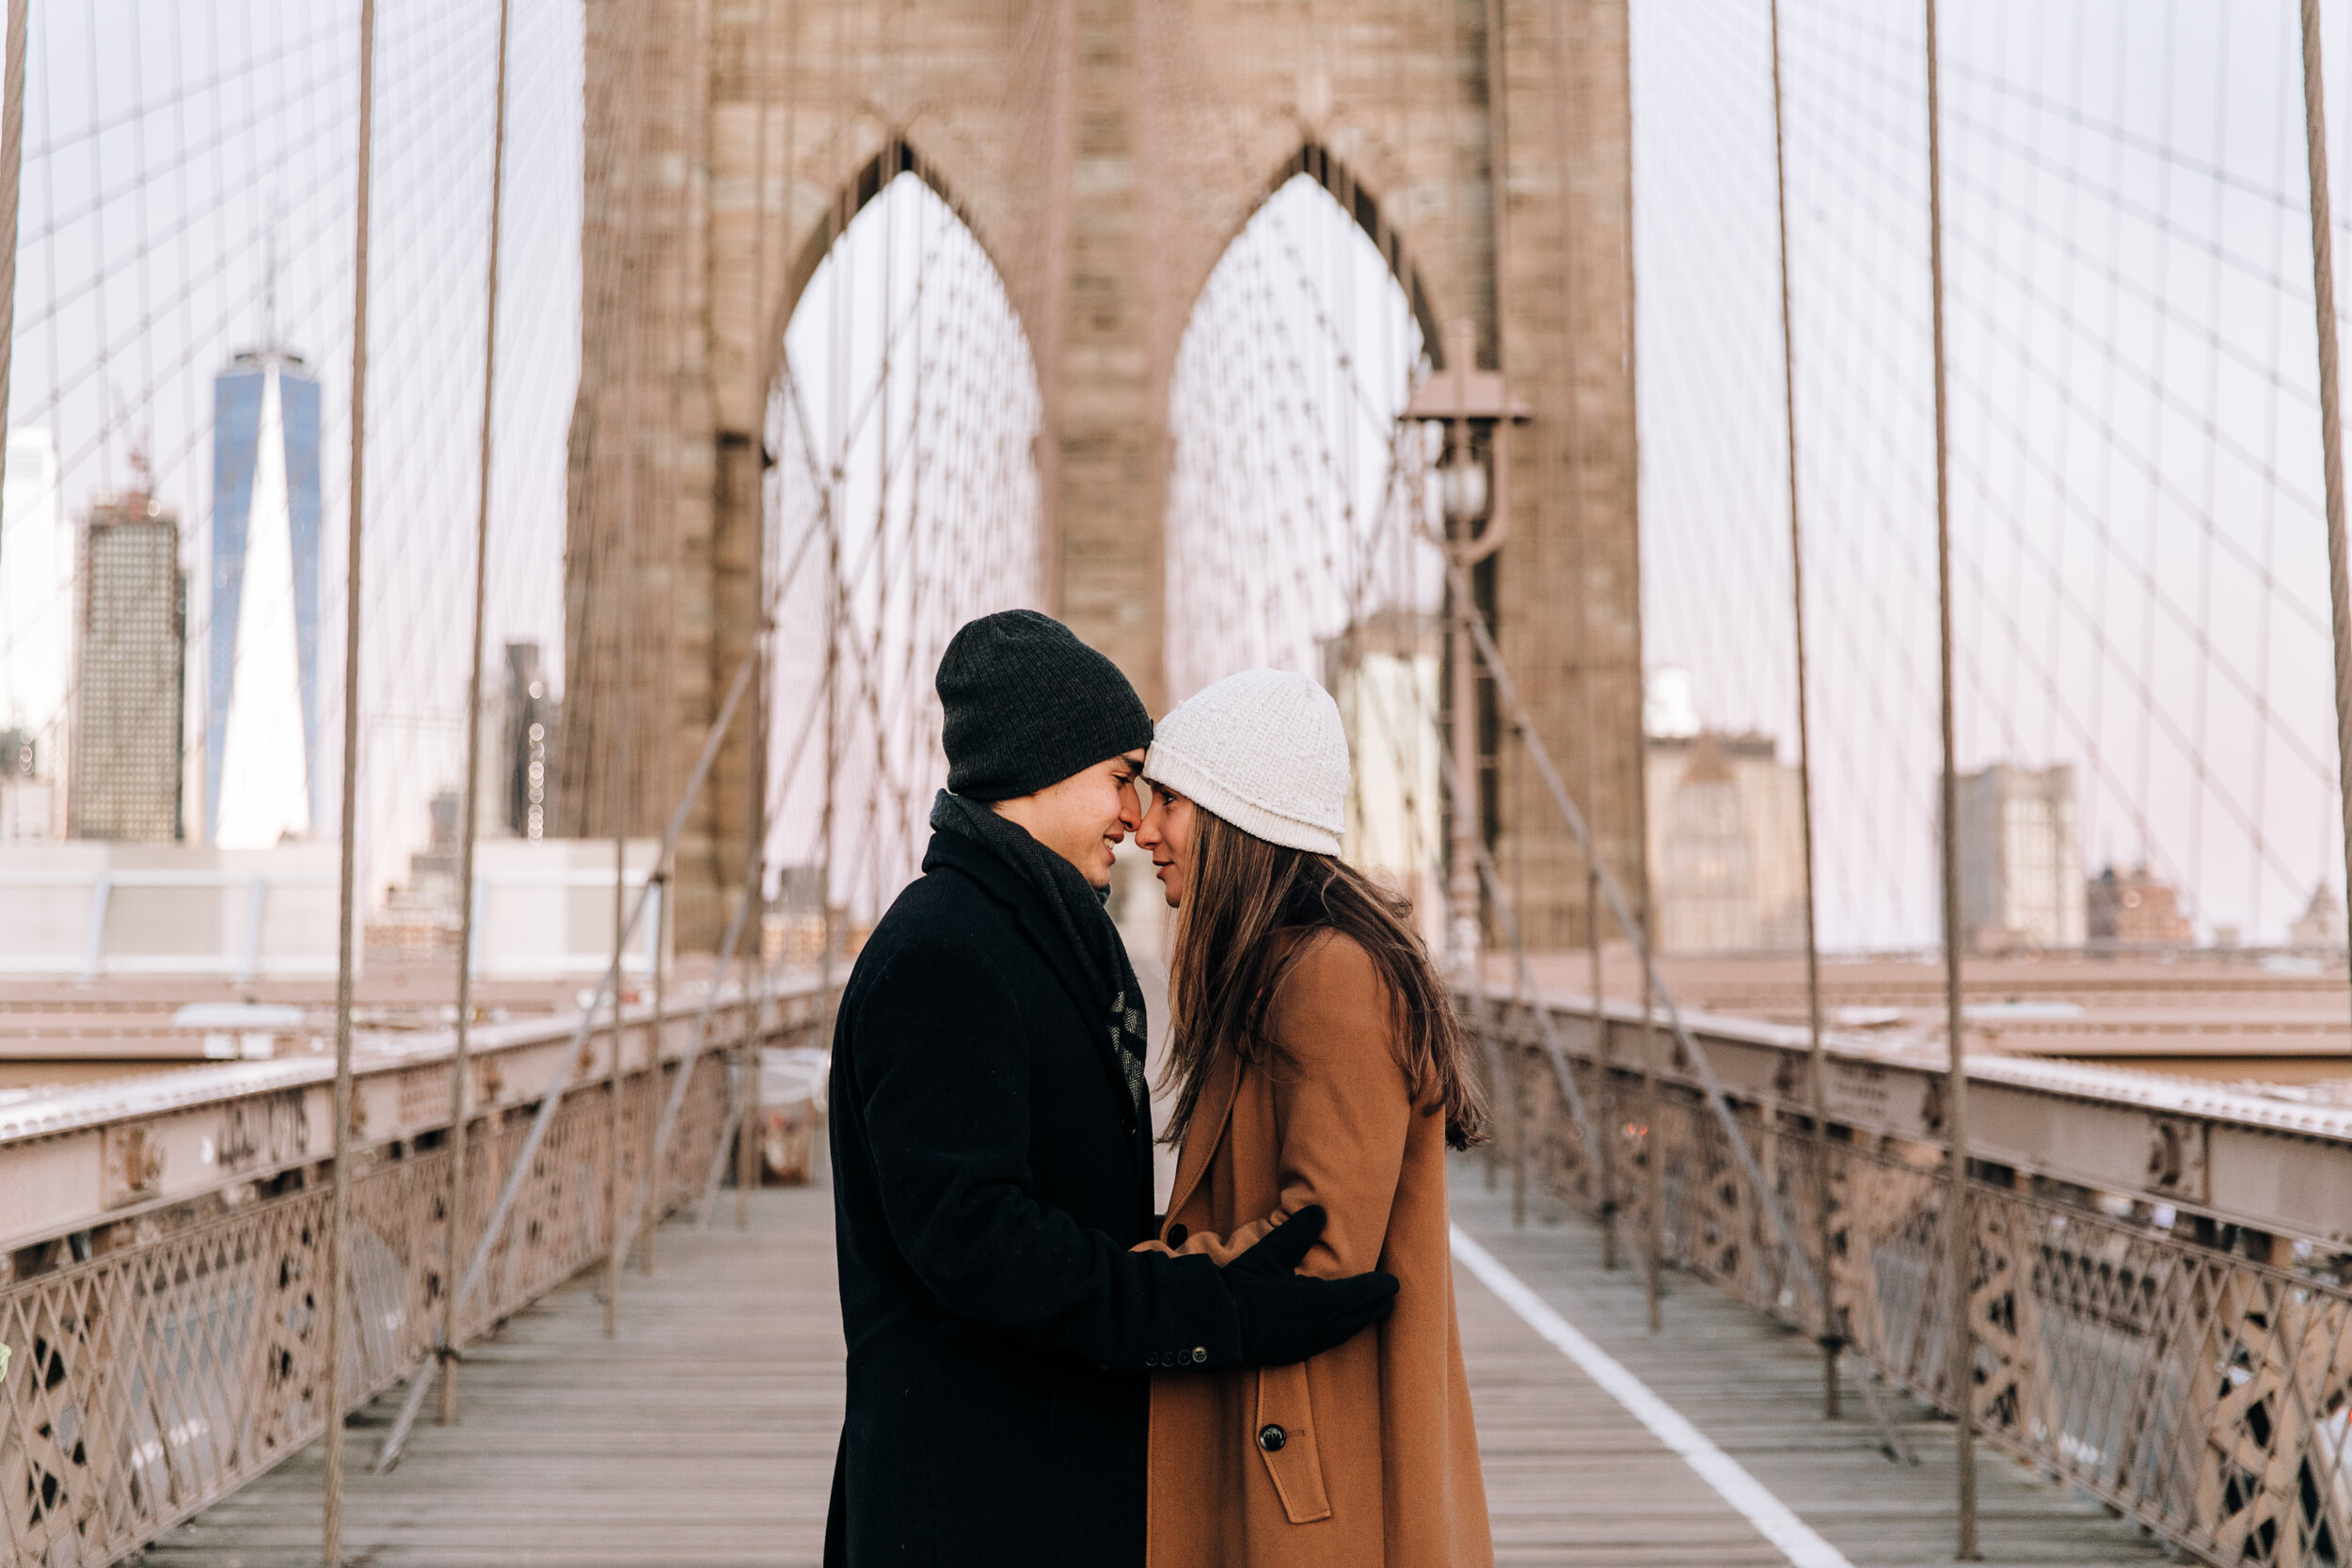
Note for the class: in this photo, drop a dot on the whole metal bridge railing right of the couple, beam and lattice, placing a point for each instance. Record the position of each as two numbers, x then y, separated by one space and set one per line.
2163 1351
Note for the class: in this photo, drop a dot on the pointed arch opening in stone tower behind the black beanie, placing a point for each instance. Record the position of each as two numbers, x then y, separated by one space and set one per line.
900 502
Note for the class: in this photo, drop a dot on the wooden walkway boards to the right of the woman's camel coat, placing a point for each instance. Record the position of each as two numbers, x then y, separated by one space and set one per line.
1575 1480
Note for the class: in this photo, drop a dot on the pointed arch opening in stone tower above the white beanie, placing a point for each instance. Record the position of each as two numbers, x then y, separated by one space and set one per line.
1299 507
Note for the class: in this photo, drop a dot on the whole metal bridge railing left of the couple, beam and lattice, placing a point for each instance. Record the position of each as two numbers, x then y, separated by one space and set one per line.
175 1351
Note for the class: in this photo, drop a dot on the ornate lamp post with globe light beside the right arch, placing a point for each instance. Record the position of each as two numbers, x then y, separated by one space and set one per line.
1474 490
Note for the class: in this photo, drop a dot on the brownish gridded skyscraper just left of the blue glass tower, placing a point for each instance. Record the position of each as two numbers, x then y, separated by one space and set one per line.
131 676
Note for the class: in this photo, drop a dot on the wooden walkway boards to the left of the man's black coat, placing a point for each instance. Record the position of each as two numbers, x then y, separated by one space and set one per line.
702 1438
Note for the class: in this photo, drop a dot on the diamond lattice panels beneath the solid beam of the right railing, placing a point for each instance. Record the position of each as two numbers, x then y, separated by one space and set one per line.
2196 1388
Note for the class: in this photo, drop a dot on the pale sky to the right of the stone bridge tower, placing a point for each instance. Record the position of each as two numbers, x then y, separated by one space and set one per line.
2141 570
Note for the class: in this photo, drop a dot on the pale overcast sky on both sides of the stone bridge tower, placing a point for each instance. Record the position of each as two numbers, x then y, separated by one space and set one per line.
2134 429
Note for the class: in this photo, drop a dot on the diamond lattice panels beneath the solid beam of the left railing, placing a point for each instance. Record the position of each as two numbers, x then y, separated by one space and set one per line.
182 1362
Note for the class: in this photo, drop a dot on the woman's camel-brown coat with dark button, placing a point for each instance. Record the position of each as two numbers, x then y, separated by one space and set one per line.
1363 1456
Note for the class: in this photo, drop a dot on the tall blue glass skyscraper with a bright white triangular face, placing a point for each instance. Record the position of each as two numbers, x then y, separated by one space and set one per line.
262 704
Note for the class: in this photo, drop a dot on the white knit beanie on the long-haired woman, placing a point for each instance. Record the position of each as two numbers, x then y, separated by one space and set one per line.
1264 751
